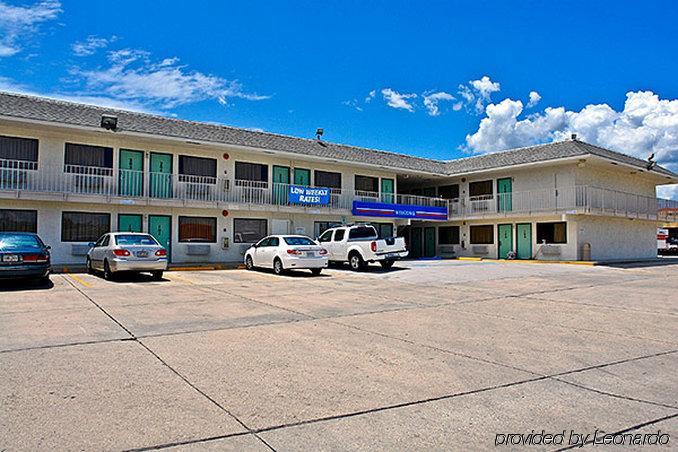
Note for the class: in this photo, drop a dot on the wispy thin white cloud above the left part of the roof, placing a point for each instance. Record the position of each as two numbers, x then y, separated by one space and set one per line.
133 76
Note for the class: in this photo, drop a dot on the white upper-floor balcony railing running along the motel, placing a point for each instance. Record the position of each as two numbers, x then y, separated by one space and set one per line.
26 176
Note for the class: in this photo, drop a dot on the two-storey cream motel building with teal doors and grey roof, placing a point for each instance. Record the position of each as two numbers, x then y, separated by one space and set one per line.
71 172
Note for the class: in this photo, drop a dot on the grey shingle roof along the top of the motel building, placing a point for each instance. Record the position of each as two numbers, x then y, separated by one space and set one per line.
61 112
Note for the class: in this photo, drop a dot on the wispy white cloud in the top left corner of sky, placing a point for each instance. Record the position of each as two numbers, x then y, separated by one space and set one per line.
18 23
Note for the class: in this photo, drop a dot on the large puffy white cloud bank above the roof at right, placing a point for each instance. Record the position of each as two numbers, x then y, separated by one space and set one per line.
646 124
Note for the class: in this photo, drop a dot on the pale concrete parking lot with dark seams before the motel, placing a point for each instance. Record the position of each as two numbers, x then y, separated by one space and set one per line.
429 355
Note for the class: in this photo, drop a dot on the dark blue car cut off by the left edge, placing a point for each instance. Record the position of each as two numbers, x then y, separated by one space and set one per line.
23 255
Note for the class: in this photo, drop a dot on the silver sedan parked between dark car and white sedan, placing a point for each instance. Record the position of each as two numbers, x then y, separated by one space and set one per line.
127 252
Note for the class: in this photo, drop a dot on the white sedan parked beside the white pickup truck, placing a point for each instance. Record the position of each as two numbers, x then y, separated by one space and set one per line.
286 252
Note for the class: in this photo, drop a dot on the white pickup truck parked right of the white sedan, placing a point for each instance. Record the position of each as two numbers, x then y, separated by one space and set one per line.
359 245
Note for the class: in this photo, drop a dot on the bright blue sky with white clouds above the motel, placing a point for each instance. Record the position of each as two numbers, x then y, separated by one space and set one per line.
435 79
